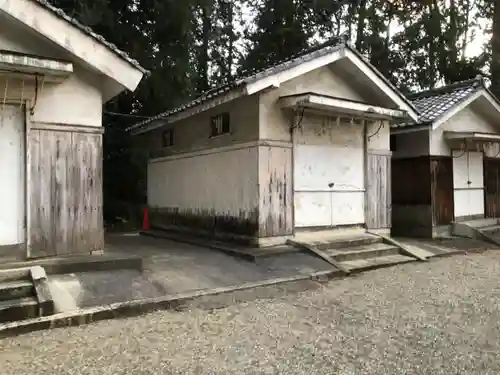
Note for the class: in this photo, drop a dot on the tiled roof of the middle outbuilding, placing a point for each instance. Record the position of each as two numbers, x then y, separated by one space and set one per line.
249 77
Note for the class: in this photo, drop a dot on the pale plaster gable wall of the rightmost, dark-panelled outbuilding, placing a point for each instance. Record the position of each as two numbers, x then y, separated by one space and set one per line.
467 120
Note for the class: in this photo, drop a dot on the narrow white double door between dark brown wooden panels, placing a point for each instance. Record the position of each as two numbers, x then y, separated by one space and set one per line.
468 183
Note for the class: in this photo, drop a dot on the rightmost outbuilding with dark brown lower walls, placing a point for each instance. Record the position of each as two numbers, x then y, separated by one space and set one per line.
446 166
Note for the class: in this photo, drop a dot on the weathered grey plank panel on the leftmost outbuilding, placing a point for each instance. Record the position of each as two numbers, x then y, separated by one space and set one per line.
65 193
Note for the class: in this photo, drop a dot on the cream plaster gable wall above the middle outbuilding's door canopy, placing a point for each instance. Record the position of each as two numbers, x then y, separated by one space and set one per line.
275 123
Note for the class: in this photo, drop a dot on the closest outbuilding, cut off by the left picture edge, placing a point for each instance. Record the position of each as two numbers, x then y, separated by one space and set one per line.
55 75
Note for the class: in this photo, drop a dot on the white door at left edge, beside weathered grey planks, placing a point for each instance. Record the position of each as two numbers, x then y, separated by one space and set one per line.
12 202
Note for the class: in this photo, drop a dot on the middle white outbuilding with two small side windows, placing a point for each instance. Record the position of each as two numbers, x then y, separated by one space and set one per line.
301 145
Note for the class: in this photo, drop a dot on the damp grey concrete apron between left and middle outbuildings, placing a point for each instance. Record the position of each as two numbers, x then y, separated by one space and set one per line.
174 267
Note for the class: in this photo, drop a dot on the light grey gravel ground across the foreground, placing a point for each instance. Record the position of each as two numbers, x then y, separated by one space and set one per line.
439 317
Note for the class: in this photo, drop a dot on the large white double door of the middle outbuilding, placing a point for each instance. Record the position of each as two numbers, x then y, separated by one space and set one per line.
328 185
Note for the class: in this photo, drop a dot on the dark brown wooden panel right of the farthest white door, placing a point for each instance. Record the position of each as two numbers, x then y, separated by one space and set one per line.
492 187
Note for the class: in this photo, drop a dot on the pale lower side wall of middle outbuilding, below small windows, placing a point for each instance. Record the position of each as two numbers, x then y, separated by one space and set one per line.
224 181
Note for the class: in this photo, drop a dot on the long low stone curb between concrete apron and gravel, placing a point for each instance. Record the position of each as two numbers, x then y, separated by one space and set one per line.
205 299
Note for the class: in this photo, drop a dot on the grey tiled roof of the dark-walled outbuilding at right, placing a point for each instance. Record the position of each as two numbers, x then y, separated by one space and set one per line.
432 104
